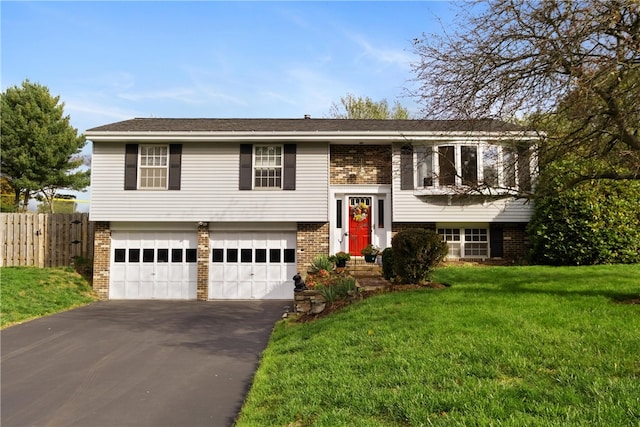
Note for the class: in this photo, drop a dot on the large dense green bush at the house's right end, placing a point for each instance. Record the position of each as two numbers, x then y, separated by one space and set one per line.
597 222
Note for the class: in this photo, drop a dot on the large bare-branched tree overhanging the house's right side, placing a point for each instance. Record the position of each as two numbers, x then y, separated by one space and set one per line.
569 67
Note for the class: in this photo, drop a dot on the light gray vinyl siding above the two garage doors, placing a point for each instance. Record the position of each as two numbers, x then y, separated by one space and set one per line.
209 188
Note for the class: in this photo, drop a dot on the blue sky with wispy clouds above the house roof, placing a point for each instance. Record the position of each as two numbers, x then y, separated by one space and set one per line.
112 61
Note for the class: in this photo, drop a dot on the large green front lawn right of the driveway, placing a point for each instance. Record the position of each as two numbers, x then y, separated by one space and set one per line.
507 346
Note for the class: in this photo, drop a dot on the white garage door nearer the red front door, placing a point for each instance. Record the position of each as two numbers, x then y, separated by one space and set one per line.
252 265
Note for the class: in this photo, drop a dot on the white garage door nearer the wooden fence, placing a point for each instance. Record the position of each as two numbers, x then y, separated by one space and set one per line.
153 265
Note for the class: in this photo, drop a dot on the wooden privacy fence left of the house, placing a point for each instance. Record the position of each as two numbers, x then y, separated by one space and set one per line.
44 240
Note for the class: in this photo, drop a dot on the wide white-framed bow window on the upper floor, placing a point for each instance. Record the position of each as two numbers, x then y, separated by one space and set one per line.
474 165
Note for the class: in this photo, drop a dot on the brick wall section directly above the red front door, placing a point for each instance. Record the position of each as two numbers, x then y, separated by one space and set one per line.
360 164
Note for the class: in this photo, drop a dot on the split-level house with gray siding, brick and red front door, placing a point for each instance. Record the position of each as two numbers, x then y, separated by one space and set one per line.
233 208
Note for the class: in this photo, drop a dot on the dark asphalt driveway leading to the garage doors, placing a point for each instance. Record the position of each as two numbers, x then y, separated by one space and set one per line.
135 363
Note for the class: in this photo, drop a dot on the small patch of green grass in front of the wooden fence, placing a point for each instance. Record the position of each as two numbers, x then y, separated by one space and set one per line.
30 292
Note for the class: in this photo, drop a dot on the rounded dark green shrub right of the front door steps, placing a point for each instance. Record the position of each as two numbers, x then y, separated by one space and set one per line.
416 252
